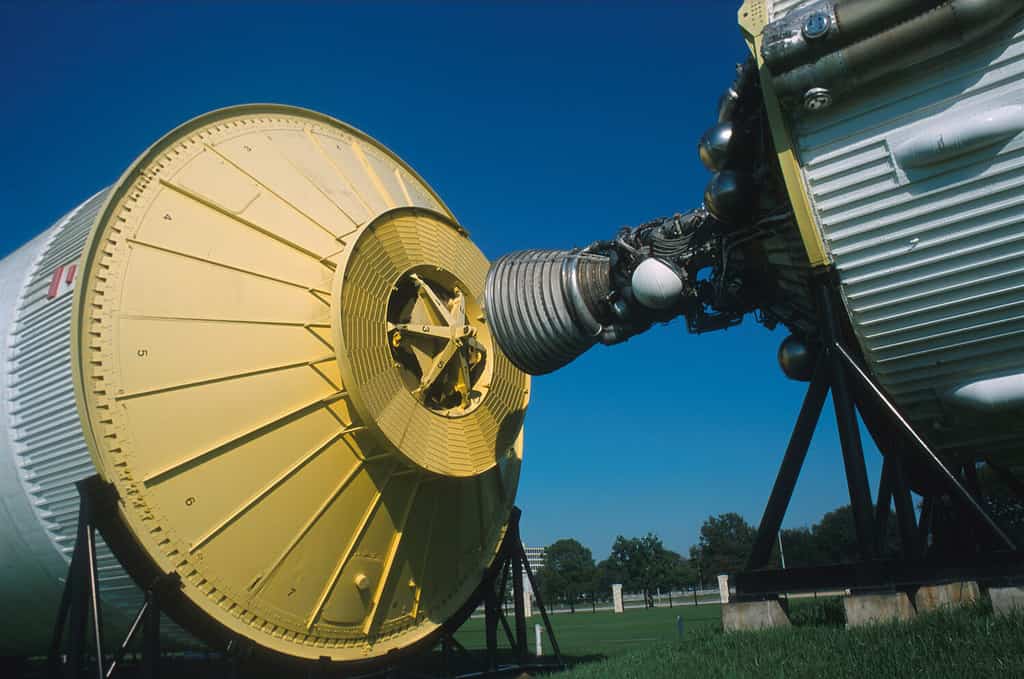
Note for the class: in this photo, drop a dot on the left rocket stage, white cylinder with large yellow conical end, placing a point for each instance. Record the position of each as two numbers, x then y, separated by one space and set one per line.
268 338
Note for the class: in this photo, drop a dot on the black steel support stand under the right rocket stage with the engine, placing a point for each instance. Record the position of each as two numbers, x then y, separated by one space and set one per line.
854 390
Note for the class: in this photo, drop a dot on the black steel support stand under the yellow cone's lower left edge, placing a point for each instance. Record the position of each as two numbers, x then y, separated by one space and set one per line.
80 605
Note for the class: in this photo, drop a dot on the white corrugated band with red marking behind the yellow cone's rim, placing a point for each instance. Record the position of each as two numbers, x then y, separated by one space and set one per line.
50 451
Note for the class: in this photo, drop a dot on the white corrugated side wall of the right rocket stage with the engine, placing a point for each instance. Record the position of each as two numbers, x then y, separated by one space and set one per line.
931 259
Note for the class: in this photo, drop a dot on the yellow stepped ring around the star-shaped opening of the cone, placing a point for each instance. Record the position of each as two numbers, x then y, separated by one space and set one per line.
454 444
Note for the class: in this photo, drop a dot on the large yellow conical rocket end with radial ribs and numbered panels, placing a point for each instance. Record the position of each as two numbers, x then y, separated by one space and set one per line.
252 451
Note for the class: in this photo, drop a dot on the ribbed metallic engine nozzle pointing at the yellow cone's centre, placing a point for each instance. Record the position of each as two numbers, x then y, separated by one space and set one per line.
541 306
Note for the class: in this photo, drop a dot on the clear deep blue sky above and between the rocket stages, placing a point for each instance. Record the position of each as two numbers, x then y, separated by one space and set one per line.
541 125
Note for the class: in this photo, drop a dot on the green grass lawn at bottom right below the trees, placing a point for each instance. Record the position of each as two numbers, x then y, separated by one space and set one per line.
961 644
